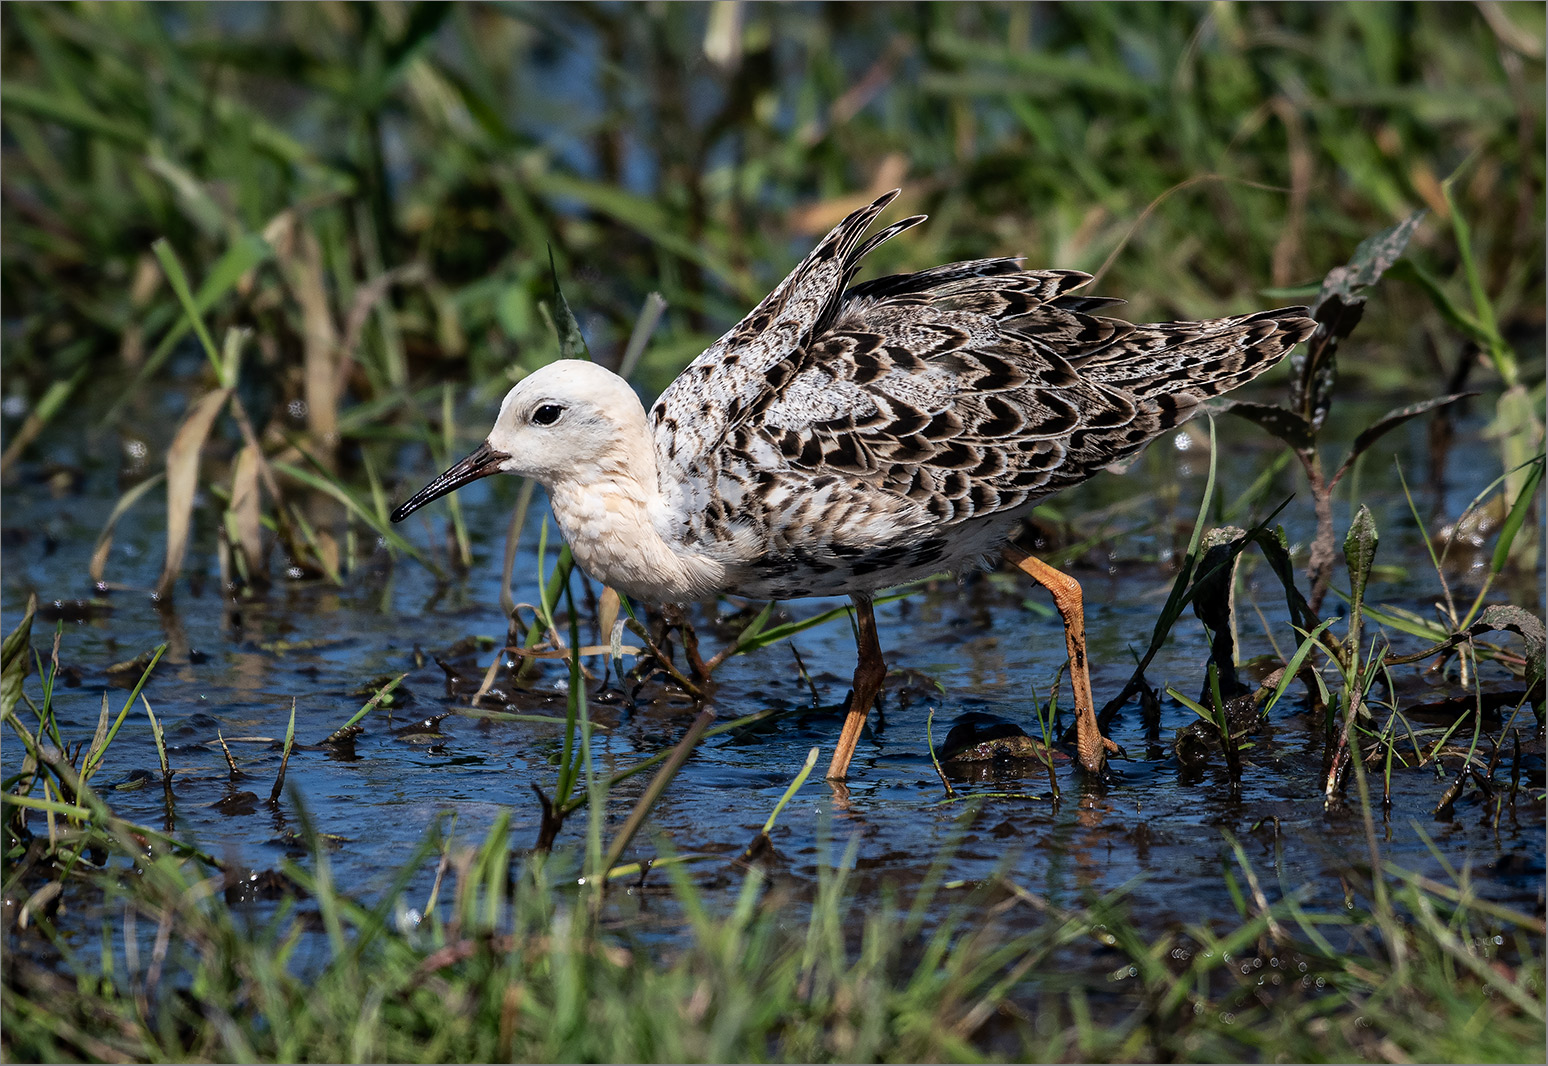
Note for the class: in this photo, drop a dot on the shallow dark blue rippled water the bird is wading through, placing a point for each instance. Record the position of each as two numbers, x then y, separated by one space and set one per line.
954 647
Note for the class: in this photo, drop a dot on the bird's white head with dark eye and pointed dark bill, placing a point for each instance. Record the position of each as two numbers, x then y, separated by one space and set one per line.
570 420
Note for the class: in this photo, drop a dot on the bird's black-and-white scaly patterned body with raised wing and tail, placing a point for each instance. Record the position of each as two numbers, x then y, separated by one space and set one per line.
844 439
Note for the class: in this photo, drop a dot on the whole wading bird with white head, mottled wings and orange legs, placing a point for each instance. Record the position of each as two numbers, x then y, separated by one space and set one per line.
843 440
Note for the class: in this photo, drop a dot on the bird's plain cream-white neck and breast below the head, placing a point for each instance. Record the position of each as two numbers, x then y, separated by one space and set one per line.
618 527
